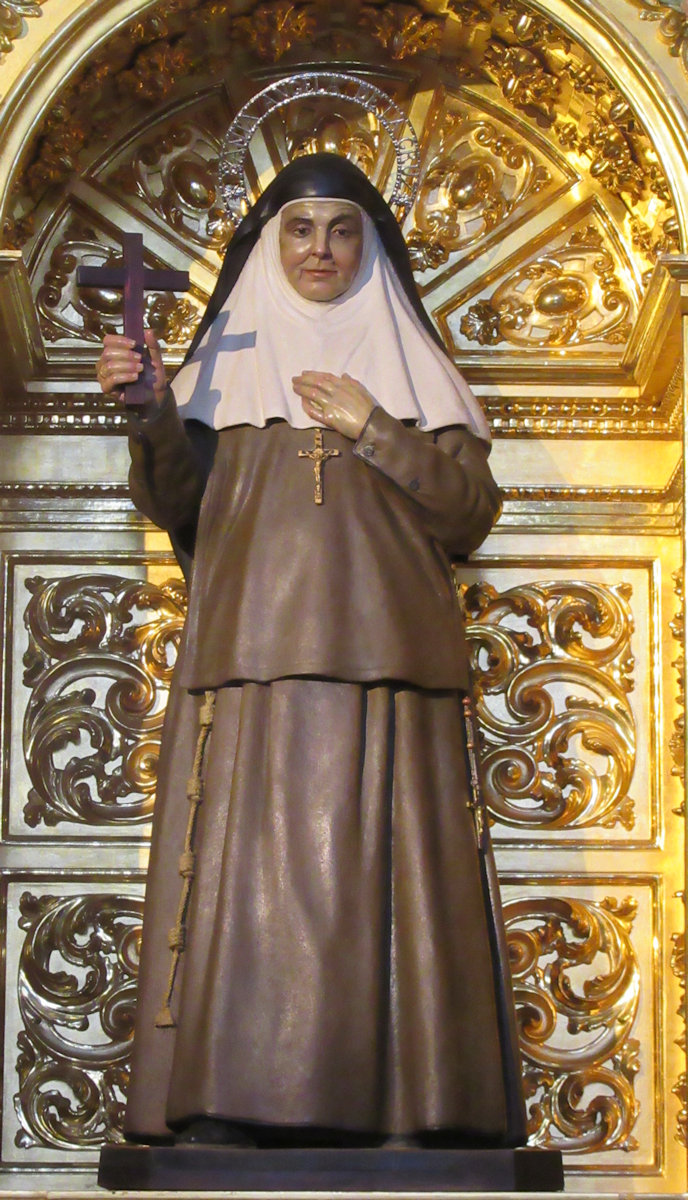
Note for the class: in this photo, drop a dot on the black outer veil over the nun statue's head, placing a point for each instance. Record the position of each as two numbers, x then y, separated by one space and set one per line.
315 176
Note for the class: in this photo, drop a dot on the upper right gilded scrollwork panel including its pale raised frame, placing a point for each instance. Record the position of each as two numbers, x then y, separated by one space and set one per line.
565 699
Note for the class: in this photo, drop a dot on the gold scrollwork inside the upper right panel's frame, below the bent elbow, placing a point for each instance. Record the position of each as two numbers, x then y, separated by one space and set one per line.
552 670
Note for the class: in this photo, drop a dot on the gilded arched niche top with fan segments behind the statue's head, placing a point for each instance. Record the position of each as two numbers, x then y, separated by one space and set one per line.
537 233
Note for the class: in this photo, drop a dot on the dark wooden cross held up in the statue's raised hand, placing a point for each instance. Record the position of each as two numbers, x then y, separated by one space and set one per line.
135 280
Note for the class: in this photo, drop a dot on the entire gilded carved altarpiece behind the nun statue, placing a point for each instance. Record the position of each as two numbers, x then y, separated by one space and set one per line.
548 239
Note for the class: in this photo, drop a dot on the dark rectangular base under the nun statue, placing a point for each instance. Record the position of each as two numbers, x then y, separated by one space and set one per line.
237 1169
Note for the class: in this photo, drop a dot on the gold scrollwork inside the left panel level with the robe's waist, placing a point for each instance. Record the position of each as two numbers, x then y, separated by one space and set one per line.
99 664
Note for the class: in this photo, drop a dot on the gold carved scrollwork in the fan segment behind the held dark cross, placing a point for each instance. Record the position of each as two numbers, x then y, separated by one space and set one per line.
68 311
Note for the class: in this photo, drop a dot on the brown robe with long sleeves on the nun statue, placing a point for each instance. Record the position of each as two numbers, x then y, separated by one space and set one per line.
344 964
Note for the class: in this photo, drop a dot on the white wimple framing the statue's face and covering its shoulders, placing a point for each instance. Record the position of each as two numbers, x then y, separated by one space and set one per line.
266 334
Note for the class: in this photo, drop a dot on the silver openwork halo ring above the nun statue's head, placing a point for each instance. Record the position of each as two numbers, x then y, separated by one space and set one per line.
232 176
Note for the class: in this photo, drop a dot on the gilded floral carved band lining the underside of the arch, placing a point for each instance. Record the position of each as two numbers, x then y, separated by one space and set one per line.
536 70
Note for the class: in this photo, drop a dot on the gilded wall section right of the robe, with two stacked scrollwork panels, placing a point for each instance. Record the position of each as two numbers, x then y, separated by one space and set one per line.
579 699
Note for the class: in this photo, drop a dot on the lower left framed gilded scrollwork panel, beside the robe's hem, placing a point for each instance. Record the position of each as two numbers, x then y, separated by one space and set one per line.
73 958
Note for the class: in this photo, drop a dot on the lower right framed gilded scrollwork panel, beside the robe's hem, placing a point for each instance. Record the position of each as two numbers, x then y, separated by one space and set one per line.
589 991
